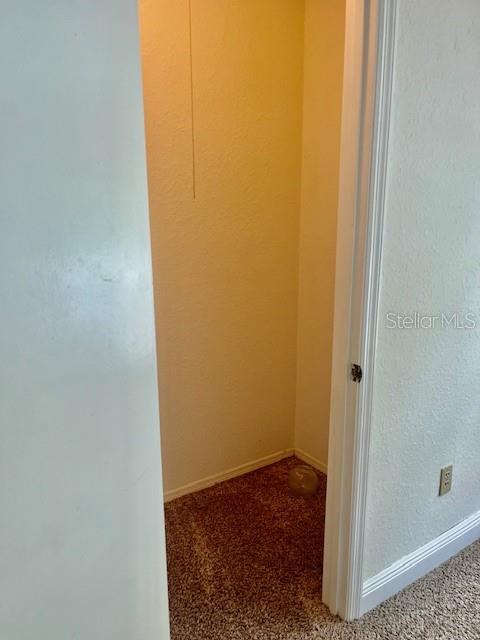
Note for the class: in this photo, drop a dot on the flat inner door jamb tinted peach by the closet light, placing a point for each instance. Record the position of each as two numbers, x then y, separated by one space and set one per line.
337 515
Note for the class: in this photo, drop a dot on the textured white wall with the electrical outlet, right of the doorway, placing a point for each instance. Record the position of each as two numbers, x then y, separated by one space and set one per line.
427 383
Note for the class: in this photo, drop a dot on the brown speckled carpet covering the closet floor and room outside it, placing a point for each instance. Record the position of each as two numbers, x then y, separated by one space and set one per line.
245 562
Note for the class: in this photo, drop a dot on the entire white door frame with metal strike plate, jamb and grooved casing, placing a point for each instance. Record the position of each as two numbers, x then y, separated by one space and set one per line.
369 54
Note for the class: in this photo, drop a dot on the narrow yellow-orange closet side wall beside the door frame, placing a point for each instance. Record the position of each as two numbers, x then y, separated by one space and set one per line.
322 100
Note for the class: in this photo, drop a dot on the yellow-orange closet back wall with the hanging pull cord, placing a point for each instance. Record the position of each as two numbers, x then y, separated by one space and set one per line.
226 263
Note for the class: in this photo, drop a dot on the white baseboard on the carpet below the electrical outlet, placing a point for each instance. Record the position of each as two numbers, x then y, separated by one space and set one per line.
417 564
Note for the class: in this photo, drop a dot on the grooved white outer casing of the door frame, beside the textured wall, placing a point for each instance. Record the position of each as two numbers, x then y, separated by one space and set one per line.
367 292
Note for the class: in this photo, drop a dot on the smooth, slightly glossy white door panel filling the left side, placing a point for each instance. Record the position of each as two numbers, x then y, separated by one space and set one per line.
81 535
